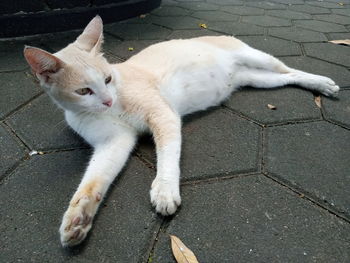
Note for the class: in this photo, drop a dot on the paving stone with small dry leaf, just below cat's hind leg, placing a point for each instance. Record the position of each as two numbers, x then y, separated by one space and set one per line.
292 104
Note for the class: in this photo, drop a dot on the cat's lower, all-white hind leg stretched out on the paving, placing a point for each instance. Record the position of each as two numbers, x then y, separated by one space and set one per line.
266 79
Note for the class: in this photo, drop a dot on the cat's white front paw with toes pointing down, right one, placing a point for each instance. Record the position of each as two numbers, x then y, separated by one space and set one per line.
165 197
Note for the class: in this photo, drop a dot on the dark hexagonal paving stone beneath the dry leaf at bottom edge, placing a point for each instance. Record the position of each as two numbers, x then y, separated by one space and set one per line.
252 219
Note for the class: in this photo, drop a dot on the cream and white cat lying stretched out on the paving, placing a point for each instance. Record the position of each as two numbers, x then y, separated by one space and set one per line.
109 105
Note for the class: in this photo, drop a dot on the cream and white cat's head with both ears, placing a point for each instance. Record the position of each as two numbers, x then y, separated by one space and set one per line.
78 78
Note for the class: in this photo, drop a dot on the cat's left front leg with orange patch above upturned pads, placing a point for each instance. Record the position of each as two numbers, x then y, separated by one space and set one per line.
106 162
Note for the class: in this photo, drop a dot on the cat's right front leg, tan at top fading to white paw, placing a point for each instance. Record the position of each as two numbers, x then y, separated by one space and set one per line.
165 189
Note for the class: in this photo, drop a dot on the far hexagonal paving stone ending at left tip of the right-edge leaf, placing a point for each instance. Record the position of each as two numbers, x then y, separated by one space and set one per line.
297 34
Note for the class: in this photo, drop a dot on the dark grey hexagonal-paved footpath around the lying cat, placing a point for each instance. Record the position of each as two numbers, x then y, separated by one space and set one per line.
258 185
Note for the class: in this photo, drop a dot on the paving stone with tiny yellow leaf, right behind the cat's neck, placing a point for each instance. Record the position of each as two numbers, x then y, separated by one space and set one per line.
123 50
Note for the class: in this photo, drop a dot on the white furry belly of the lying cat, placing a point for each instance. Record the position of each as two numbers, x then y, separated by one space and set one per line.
200 88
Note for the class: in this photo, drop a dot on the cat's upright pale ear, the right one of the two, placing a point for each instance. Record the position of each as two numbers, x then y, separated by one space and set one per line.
92 37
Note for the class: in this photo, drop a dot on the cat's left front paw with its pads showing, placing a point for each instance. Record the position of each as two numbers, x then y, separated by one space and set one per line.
77 220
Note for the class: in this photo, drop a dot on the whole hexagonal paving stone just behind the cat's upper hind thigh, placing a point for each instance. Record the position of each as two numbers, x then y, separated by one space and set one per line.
274 46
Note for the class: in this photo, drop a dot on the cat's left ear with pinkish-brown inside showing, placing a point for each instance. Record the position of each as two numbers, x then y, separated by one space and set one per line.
43 63
